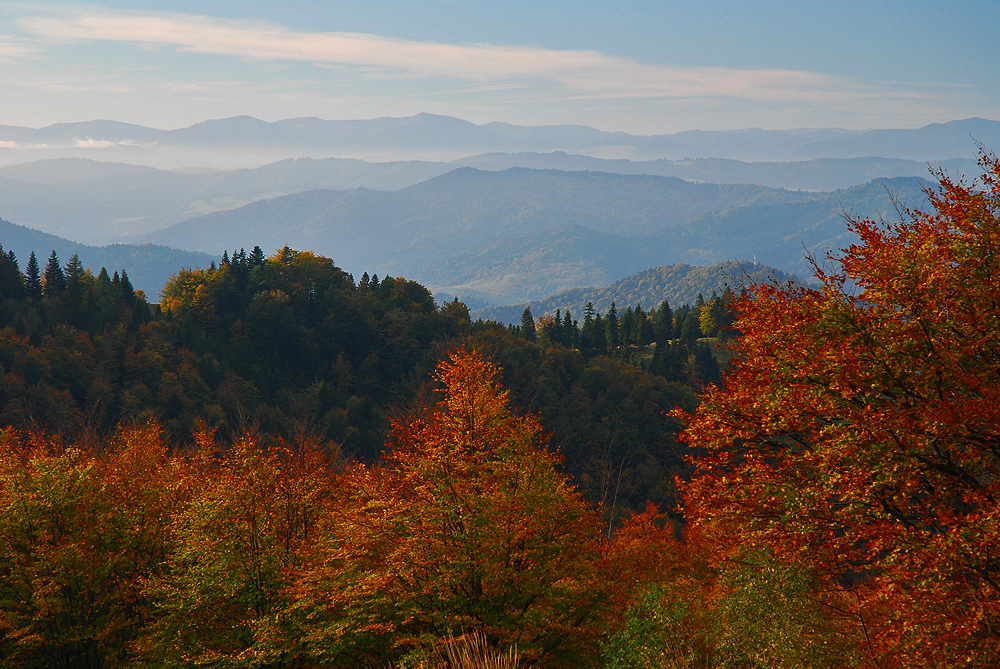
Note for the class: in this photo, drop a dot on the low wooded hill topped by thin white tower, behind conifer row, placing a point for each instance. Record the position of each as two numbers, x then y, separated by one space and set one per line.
679 284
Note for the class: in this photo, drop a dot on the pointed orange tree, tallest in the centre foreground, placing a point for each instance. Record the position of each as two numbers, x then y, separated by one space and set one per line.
467 527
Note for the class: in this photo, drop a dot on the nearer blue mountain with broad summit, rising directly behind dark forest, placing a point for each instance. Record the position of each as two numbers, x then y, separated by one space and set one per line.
519 234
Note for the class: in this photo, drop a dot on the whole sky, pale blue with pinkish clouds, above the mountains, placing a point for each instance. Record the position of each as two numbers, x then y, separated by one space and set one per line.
643 67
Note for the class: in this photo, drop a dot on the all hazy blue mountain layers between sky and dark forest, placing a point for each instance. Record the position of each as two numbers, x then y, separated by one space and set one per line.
492 213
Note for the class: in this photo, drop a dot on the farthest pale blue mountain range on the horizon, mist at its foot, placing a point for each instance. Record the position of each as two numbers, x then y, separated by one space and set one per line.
245 141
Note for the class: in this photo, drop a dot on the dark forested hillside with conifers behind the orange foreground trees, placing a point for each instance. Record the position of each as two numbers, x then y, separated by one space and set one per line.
291 343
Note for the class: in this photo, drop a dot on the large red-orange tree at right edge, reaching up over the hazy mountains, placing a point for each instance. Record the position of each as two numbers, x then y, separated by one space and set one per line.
859 433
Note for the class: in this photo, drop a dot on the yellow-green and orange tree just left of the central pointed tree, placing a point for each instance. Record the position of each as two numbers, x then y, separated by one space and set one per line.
246 516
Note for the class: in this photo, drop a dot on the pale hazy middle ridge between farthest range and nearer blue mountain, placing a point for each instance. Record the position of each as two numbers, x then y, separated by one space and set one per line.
100 202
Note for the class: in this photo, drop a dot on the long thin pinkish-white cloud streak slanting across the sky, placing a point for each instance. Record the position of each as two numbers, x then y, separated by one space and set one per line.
587 73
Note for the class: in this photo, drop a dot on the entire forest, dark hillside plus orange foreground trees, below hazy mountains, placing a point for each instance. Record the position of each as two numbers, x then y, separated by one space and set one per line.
277 465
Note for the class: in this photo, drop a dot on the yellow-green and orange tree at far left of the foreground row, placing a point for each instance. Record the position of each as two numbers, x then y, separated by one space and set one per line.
79 532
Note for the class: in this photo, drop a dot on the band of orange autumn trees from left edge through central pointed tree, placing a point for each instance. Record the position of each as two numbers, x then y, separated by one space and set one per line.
260 552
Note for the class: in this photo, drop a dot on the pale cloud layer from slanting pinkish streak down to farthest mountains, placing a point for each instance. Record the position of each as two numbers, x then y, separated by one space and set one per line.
75 62
